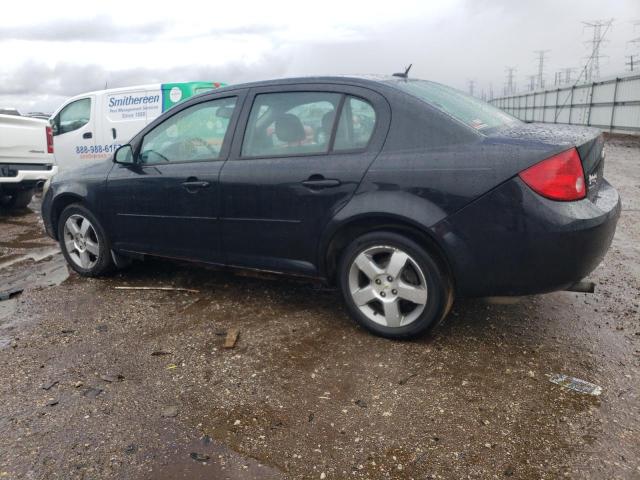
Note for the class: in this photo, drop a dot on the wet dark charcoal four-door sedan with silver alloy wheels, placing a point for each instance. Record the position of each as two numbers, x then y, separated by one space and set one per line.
404 193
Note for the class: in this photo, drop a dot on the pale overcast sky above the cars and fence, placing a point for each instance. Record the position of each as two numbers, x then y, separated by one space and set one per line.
51 50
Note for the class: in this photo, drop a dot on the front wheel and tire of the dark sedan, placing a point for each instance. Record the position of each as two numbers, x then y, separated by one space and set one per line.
86 246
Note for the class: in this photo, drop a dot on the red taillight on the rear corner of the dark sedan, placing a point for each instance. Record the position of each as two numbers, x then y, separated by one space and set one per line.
559 177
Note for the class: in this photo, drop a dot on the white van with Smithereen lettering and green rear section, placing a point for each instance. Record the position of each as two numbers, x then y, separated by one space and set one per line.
92 126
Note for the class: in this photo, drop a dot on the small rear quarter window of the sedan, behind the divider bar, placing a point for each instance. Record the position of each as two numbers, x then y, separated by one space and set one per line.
357 120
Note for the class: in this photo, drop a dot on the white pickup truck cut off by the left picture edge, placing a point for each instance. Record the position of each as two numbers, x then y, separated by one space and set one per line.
26 158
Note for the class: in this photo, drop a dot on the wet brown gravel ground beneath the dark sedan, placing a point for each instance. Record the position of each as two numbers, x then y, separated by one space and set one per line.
100 383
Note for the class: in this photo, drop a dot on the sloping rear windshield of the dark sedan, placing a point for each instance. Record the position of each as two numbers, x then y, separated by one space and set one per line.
469 110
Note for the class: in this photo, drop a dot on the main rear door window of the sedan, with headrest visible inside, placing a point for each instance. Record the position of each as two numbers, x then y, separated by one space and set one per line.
292 123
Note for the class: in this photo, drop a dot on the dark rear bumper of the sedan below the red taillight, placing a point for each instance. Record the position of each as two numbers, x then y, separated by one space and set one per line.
515 242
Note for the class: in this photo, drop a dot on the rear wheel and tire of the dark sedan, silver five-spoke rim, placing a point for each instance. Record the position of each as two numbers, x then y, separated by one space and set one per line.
381 269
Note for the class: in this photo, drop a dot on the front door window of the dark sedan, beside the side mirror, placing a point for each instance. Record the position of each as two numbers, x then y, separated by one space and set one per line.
195 134
